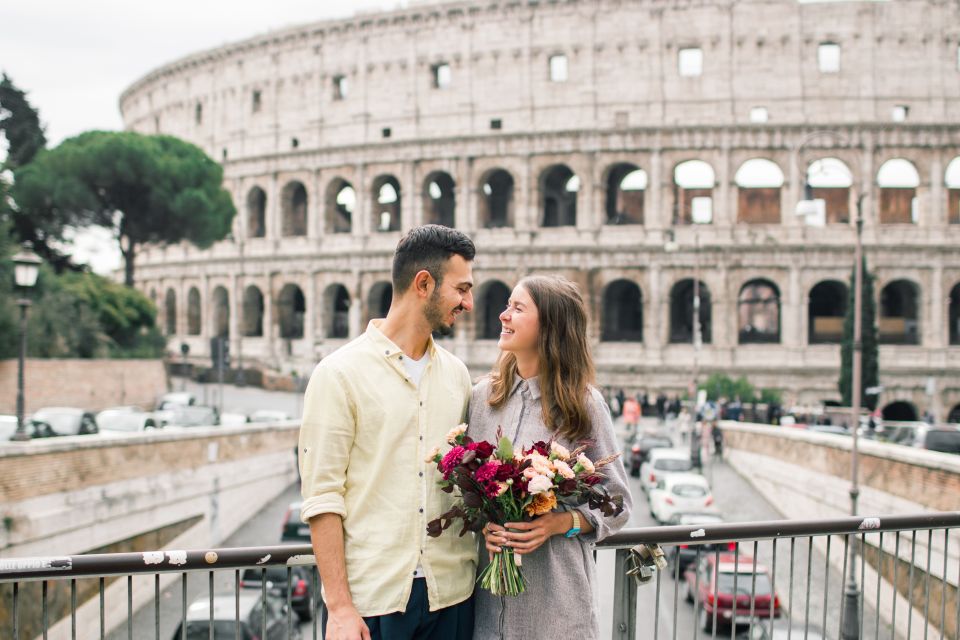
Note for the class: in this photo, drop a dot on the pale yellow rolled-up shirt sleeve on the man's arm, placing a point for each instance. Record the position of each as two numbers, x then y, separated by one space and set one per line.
327 434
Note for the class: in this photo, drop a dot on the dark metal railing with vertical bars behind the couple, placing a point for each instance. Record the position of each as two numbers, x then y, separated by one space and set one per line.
904 582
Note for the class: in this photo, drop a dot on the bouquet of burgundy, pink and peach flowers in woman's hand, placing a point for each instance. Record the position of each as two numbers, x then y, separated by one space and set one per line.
496 484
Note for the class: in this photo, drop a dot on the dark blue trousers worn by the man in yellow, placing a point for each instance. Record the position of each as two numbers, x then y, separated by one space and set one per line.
418 622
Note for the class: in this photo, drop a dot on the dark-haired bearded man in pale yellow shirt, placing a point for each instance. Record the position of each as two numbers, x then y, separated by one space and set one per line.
372 411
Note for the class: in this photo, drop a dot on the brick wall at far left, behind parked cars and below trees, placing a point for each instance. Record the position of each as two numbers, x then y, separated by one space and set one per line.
88 384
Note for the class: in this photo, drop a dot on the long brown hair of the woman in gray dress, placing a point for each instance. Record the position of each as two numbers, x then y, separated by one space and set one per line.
565 368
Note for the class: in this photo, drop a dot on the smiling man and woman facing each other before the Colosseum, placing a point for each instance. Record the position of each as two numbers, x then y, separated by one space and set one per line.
375 407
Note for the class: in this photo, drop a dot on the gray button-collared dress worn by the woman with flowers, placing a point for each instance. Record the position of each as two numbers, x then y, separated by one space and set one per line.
558 601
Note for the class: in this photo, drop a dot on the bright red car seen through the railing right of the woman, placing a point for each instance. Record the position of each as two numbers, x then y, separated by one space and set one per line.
711 585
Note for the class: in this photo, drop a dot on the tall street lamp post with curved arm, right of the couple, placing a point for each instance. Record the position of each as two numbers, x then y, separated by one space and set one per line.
850 615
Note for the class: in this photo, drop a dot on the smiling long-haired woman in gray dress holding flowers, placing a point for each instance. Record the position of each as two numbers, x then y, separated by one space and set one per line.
540 390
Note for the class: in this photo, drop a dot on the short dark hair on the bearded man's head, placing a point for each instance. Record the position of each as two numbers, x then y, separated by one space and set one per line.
427 248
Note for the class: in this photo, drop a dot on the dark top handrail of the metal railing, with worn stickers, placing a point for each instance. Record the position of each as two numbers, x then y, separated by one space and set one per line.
150 562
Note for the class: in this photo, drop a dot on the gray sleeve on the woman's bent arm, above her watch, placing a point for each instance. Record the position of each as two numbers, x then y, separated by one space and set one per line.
615 476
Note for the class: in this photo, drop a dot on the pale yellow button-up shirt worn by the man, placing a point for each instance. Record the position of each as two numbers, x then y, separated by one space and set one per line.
365 433
